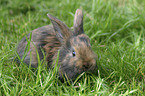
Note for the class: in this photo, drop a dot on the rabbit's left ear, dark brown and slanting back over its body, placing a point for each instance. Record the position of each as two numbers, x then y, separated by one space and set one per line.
62 30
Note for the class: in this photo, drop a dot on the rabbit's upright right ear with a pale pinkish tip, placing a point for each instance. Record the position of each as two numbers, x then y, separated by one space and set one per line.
78 22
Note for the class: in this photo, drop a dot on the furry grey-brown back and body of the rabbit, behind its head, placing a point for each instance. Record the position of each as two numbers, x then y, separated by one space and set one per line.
43 39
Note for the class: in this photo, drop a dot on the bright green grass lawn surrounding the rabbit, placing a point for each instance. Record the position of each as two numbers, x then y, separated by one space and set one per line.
117 32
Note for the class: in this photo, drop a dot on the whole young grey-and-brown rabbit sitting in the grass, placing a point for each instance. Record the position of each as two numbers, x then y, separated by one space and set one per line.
76 55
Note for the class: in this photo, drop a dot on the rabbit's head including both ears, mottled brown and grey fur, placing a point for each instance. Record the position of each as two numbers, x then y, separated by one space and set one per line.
76 55
